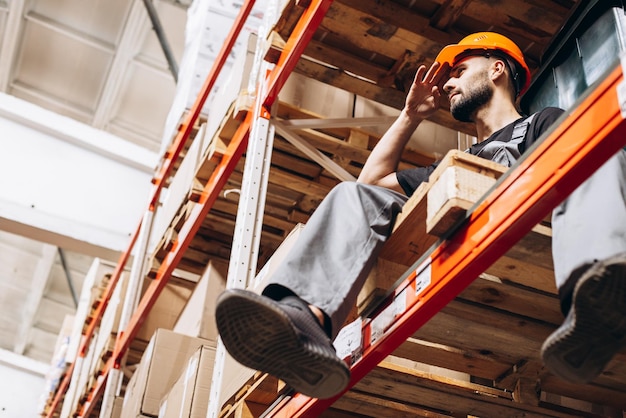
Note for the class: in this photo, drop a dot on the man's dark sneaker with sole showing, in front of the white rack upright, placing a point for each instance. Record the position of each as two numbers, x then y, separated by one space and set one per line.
283 339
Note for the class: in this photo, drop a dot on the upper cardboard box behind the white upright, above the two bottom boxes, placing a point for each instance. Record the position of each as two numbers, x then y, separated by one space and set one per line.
198 317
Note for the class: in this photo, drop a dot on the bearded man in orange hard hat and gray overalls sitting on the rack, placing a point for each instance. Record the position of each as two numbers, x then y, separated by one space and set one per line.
288 330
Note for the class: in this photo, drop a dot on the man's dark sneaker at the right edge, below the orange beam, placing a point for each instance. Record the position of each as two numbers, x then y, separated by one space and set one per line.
595 327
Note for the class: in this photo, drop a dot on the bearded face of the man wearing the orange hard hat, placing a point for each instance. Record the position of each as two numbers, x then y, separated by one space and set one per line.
468 87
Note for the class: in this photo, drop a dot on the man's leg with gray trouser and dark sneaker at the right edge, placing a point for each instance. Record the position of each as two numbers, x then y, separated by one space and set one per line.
589 252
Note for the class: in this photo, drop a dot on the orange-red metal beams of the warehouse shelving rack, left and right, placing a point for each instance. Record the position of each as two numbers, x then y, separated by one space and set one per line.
586 137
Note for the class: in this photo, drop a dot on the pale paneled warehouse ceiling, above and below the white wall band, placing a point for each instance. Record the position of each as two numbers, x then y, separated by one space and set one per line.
98 62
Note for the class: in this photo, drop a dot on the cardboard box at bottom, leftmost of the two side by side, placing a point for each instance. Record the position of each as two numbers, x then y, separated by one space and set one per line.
161 364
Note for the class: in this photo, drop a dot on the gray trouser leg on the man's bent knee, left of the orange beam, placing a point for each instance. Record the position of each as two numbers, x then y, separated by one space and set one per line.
337 249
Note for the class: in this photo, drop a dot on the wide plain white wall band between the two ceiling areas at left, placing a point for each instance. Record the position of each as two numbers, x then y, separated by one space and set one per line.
68 184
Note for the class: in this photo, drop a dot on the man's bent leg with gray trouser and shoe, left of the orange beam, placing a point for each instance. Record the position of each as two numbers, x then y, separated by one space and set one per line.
277 332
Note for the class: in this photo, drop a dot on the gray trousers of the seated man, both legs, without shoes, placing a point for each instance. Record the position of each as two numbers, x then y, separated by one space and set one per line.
341 241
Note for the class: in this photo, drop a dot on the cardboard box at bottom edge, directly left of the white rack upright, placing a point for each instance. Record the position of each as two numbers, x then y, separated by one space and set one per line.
189 397
